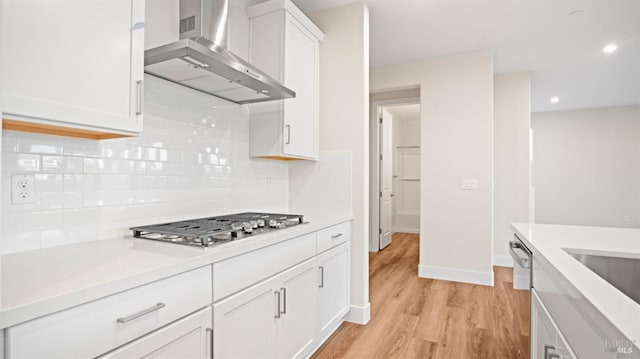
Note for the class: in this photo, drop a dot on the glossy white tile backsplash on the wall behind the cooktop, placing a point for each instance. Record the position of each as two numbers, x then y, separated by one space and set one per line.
192 160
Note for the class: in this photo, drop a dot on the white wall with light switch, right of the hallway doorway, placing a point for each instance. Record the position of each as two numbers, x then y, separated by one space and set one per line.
456 96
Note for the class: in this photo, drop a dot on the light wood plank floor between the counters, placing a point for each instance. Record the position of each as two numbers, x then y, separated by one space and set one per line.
415 317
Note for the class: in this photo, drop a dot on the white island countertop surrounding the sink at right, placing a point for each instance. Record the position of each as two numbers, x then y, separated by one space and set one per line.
549 241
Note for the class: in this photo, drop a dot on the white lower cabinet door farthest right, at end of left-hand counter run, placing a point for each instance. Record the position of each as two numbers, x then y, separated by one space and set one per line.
332 289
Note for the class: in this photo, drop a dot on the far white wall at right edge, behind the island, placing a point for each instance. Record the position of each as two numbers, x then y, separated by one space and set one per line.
586 166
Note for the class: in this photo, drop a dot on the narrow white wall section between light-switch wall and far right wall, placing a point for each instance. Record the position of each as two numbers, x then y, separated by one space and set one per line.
512 121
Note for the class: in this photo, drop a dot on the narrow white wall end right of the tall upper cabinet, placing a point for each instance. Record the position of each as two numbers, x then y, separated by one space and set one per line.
344 84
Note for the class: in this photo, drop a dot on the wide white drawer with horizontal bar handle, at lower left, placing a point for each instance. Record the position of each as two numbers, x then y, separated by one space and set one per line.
94 328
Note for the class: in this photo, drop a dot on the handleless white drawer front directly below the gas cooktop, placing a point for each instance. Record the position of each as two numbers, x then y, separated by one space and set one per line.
234 274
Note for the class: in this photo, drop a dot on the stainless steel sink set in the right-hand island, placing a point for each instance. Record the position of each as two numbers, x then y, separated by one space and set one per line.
621 272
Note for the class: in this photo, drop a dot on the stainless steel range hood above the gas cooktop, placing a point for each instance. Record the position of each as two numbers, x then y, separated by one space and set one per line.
200 59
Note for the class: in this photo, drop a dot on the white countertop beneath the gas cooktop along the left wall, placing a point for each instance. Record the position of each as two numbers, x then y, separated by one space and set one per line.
40 282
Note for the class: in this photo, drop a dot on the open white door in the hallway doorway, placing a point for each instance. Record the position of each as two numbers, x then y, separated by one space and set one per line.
386 178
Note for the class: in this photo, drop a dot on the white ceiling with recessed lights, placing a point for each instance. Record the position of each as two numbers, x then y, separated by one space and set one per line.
562 52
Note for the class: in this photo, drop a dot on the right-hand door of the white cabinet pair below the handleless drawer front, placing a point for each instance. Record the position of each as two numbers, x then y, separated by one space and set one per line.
296 325
